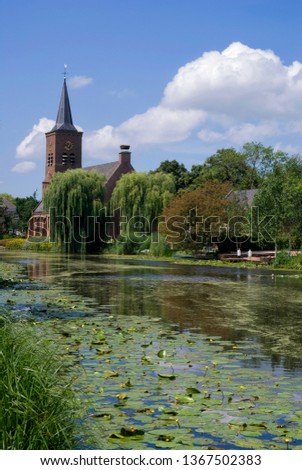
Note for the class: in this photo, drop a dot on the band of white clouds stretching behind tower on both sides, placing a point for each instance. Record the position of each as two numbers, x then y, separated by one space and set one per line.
228 97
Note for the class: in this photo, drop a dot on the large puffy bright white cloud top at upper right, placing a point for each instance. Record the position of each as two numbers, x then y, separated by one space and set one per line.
240 82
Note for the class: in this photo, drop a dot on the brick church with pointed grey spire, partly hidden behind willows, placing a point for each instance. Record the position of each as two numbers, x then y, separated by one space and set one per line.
64 152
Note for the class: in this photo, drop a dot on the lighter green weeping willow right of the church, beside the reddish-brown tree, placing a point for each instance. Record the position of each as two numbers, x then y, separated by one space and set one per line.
141 198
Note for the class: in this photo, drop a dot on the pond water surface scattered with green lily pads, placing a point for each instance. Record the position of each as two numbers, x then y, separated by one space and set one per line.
235 334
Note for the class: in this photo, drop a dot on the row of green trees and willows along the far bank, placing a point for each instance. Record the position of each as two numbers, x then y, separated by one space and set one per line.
188 209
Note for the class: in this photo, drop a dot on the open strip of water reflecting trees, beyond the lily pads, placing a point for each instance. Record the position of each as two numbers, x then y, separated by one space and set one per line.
234 304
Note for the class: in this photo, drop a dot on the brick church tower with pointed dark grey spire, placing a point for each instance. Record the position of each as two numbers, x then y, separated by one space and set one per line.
63 142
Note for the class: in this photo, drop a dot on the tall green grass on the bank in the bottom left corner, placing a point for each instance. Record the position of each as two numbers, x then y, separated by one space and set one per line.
36 403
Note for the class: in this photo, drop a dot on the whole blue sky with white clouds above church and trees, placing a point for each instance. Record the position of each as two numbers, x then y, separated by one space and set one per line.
174 79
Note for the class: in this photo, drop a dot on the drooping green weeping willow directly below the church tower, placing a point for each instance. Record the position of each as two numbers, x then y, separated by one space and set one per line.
74 200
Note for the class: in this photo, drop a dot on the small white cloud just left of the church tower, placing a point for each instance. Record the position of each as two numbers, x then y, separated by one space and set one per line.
33 145
